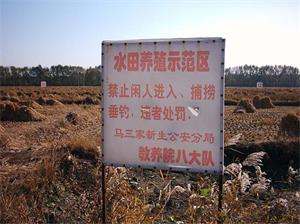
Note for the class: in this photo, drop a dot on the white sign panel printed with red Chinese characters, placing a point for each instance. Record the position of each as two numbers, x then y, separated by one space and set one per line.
163 104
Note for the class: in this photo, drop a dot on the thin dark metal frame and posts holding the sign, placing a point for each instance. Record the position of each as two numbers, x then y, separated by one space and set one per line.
222 96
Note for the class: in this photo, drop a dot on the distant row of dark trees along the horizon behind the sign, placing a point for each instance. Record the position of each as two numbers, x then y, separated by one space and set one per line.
59 75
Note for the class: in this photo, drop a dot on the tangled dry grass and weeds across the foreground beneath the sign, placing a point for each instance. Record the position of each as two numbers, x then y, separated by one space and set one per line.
133 196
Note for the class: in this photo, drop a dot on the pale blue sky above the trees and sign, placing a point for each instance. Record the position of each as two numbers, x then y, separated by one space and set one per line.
70 32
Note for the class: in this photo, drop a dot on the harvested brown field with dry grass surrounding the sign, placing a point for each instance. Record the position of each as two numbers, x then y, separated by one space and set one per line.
50 166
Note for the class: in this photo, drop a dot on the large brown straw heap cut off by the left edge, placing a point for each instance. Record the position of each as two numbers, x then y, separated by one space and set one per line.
10 111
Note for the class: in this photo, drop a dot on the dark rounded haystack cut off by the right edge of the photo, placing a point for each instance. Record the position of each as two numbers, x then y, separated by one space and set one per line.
290 125
